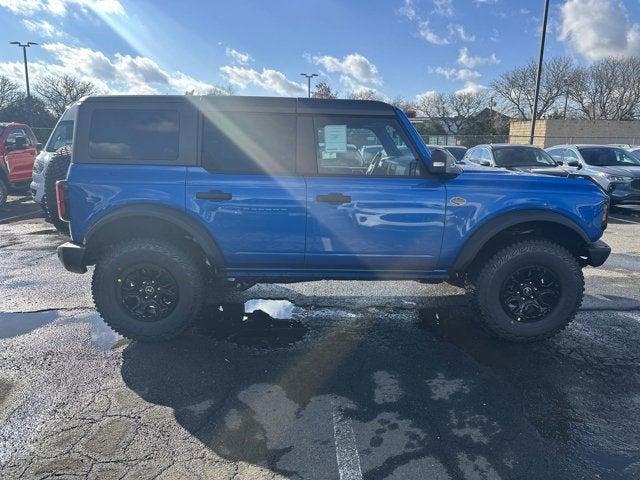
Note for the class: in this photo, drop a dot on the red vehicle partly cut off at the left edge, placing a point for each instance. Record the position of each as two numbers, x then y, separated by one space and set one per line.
18 150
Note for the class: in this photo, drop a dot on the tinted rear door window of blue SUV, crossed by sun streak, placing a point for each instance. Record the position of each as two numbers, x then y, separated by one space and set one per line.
263 143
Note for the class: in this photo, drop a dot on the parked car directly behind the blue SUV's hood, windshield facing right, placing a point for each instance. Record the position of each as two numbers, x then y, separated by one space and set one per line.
520 158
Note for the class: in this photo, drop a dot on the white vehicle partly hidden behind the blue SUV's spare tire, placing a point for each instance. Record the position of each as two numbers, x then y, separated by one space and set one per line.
61 136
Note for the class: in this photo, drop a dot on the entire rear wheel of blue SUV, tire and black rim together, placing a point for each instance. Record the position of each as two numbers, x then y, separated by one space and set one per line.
148 290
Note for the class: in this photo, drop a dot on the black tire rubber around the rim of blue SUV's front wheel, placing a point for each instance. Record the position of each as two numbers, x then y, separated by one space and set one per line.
484 285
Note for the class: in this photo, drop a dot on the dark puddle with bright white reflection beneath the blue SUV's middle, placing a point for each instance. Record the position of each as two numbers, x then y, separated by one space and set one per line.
256 323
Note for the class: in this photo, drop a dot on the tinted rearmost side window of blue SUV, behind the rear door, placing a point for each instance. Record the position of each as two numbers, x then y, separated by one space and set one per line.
141 134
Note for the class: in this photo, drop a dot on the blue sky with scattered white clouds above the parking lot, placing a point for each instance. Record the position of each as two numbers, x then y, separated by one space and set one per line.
397 47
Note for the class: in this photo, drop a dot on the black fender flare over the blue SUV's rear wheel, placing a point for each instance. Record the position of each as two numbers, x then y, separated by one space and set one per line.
150 220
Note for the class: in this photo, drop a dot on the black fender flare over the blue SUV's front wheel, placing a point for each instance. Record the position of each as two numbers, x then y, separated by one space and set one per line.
489 229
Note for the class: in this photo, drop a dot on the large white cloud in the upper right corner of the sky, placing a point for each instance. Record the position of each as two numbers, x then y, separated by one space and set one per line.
598 28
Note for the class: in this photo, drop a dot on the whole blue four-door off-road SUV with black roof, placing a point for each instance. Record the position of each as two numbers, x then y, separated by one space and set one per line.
176 200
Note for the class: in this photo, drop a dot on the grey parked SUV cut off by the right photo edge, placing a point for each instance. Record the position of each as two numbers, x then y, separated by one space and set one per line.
615 166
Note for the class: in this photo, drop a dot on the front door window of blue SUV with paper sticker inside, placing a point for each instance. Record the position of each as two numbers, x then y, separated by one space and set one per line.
360 146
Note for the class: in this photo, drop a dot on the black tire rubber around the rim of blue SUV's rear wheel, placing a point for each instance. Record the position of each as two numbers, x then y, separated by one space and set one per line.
185 269
